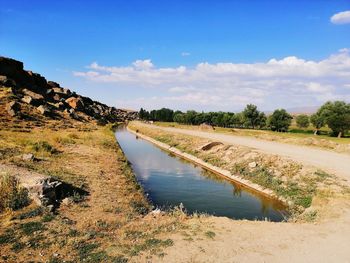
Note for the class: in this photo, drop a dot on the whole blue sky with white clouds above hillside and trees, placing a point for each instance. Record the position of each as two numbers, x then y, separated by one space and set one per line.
201 55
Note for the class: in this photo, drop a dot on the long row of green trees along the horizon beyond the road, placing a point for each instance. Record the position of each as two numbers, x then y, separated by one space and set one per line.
336 115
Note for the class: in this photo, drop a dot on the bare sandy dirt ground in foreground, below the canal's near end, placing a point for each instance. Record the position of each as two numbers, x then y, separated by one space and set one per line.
249 241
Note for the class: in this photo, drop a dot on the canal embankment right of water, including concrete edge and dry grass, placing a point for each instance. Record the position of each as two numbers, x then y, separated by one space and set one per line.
304 188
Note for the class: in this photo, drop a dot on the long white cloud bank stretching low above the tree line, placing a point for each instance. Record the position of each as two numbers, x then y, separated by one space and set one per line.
286 82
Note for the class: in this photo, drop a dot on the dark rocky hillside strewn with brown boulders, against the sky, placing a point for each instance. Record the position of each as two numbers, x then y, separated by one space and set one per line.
28 95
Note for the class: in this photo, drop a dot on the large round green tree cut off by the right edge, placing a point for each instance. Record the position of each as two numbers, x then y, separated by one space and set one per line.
337 116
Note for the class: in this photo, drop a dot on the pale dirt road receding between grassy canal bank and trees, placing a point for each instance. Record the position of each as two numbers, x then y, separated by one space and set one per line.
332 162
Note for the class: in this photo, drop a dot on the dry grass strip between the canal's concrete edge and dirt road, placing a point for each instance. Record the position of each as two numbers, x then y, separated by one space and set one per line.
298 184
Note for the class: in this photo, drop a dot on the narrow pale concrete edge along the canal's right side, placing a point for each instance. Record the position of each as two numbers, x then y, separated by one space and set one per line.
217 170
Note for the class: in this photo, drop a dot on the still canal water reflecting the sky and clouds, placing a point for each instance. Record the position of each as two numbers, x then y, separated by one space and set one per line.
170 181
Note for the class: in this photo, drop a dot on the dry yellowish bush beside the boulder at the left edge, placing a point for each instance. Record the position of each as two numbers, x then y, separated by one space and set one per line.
12 195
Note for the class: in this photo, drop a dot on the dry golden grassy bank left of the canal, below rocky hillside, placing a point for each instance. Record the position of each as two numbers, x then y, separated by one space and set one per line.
110 224
